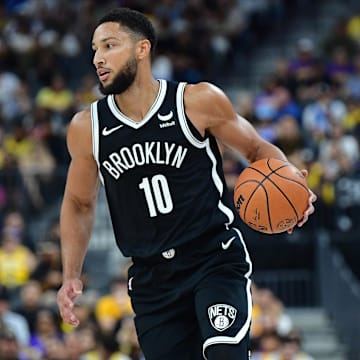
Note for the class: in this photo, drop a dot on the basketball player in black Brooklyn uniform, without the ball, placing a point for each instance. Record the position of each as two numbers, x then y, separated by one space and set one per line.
153 145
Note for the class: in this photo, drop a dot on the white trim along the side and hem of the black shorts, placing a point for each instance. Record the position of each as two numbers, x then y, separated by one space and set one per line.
245 328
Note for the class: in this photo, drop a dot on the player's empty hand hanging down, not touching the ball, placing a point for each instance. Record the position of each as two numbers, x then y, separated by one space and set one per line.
67 294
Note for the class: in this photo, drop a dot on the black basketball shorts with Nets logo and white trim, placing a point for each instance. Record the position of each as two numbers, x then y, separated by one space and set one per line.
190 299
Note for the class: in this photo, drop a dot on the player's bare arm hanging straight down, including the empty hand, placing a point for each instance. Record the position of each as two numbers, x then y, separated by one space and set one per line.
77 212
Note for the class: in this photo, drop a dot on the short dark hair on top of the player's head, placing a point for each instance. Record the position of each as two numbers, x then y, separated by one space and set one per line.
135 21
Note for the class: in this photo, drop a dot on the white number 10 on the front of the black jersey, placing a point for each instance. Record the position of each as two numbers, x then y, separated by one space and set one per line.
157 195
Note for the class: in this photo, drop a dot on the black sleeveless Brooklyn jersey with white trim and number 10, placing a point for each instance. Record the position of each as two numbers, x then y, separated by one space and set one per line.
163 181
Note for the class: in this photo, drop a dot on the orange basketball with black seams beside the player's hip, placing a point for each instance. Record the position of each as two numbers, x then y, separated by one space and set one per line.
271 195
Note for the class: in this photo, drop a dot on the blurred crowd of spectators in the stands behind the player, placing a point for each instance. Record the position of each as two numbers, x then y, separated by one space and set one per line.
309 105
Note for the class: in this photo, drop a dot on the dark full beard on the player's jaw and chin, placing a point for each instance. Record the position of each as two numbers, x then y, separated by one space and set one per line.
122 80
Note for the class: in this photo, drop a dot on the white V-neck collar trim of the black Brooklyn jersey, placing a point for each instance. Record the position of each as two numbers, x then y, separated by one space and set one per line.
154 108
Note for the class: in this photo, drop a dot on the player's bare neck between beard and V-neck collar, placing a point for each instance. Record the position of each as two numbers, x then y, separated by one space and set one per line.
139 98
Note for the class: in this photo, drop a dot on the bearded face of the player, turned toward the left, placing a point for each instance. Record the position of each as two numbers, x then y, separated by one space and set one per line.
114 58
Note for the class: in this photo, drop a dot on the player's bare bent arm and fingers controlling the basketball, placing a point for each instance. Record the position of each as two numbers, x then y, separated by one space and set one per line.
209 109
